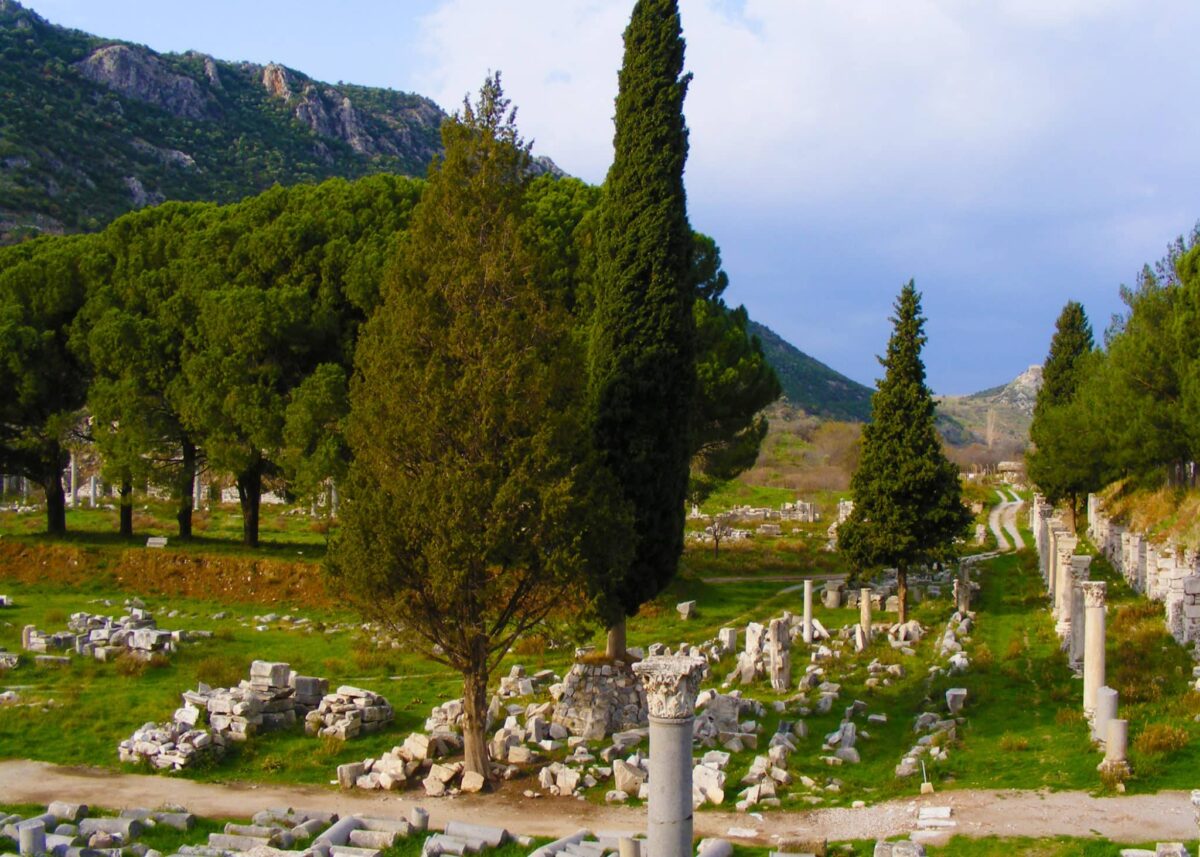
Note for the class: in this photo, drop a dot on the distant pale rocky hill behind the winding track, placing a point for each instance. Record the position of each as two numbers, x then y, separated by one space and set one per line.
997 417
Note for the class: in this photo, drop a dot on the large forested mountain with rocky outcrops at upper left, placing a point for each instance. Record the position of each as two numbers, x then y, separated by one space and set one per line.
93 128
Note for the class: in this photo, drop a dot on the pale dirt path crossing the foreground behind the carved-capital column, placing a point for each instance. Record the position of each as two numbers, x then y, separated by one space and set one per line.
979 813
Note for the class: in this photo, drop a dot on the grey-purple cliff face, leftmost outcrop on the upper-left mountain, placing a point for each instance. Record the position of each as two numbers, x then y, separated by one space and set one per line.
140 75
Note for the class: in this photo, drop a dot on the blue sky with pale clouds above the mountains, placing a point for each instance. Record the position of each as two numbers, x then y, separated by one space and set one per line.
1007 155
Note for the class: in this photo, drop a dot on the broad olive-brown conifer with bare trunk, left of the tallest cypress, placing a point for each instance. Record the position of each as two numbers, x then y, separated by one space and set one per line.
475 505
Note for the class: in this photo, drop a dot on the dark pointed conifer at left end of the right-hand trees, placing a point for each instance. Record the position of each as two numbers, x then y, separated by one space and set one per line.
1066 463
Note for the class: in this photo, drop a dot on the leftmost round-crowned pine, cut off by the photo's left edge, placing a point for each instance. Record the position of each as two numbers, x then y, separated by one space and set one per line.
43 383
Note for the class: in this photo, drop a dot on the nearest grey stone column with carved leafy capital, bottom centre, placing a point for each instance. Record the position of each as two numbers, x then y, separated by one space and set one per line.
671 685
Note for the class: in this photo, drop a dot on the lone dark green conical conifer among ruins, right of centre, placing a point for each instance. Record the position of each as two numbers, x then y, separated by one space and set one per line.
908 498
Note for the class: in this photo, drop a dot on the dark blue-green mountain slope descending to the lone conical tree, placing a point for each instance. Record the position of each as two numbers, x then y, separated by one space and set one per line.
811 385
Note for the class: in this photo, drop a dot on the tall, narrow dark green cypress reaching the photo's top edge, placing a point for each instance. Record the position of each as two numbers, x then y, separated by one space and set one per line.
643 350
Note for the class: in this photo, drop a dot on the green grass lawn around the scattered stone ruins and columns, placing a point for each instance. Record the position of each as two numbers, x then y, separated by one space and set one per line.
1023 729
